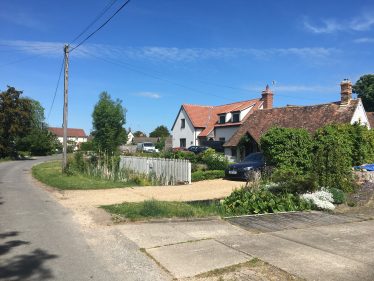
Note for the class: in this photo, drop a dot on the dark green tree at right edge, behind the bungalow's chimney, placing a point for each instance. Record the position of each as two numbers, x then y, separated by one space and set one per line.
364 88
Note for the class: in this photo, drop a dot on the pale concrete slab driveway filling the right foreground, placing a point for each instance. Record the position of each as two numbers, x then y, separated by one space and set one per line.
314 246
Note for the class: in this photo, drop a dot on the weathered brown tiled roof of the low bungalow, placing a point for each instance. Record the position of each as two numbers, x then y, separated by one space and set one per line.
308 117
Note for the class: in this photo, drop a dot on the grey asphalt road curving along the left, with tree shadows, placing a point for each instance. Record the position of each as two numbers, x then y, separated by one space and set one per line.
38 238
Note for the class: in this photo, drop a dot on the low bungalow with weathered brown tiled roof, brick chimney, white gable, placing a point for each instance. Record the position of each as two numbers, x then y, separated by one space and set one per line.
345 111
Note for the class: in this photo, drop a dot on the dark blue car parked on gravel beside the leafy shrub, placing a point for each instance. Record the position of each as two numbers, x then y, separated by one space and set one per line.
253 161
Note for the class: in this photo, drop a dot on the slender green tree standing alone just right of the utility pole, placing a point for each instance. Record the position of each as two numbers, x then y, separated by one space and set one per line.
108 121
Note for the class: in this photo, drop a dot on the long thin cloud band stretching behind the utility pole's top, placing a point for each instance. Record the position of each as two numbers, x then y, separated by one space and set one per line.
166 54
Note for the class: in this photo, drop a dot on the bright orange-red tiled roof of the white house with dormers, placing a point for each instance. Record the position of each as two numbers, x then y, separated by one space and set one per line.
207 116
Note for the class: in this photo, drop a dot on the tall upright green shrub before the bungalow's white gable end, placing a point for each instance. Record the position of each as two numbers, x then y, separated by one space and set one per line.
333 157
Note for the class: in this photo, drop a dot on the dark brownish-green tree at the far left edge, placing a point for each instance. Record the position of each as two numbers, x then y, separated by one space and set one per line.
15 120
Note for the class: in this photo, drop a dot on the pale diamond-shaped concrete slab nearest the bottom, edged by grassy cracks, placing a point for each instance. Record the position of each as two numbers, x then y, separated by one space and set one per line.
192 258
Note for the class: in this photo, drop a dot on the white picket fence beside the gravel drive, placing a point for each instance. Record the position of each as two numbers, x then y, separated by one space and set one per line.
167 171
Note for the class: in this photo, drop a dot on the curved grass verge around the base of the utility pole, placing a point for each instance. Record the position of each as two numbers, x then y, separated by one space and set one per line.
50 174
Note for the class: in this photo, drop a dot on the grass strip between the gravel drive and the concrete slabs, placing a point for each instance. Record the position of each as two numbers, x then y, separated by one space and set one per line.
151 209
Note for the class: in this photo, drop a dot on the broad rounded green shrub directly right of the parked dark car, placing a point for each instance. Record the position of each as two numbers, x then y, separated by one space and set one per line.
288 148
